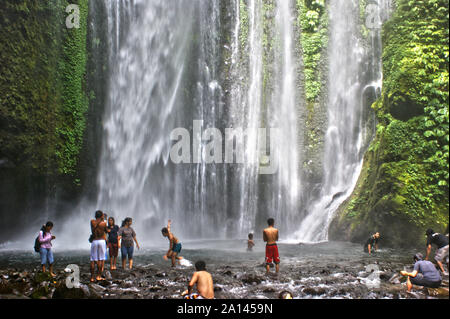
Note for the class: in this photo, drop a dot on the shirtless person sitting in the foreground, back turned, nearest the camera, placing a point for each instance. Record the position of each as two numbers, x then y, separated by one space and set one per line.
203 279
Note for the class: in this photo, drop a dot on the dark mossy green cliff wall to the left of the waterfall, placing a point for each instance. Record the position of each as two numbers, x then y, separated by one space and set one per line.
43 101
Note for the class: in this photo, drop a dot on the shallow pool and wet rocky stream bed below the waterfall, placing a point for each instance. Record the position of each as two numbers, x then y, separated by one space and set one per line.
326 270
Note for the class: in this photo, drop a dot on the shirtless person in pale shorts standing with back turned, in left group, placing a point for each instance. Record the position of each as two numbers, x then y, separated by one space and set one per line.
98 245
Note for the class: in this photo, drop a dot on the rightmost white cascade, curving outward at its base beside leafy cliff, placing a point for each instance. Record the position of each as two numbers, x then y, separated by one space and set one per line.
353 68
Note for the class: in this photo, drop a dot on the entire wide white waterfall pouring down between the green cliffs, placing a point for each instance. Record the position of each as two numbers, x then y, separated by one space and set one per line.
202 66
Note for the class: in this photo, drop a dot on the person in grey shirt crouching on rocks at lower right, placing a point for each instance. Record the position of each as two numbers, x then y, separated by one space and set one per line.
425 274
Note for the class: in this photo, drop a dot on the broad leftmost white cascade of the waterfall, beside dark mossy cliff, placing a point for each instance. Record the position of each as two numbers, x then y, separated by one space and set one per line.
145 80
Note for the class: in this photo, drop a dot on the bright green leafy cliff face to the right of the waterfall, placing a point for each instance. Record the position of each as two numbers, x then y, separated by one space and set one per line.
403 187
